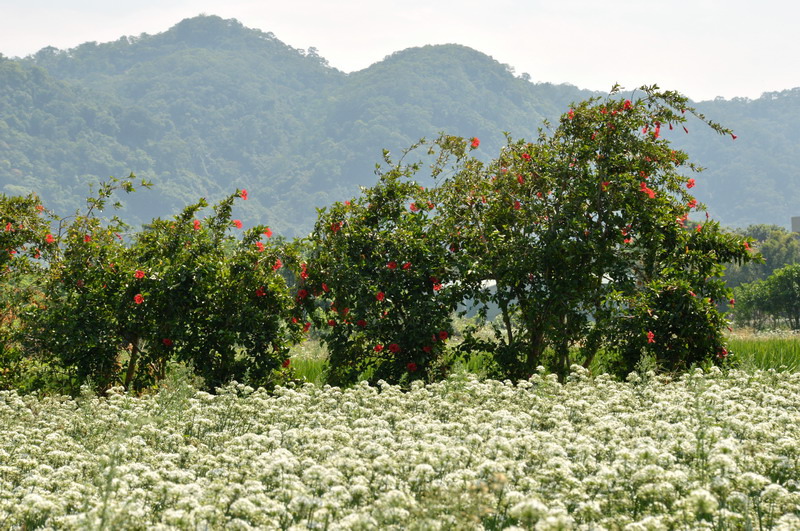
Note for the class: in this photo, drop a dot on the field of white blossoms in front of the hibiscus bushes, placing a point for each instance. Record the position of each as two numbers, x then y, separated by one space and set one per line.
706 451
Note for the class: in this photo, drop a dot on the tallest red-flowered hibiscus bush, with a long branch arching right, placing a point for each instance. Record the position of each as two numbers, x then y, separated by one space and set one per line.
580 238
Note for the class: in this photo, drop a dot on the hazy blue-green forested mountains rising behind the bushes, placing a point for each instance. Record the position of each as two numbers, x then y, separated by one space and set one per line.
209 106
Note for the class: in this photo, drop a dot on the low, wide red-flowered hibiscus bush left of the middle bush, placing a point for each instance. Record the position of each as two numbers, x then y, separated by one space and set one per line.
116 309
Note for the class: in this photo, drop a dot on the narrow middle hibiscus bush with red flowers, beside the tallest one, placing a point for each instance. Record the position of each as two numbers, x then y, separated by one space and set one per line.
379 282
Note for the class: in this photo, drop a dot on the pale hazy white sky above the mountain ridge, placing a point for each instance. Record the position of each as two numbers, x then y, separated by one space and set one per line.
703 48
